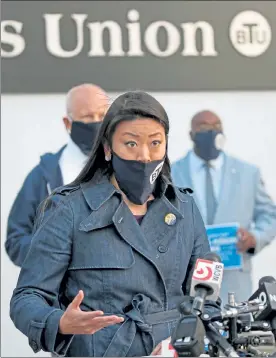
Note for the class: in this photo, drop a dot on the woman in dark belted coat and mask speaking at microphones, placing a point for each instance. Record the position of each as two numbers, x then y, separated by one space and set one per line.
116 248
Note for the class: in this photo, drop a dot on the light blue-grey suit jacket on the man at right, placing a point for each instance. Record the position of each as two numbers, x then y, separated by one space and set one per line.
243 199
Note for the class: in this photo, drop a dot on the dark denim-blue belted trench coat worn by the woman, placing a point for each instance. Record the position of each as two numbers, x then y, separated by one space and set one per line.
91 241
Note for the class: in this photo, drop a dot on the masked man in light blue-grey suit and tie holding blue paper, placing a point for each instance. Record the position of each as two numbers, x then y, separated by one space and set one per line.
227 190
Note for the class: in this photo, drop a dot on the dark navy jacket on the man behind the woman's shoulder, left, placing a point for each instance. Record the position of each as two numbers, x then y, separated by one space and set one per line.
43 179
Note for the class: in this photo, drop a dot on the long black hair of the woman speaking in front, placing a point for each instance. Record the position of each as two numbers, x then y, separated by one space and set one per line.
128 106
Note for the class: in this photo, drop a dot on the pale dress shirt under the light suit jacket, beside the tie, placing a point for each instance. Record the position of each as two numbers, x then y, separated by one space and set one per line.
198 177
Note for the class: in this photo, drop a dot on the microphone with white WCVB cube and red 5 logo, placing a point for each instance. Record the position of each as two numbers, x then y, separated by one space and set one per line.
206 281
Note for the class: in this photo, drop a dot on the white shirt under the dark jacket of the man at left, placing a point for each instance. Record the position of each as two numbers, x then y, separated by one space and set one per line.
71 162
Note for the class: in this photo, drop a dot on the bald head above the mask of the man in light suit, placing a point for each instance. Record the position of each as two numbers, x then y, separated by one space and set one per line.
205 121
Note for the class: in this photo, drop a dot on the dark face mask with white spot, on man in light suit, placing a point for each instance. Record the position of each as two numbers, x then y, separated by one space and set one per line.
208 144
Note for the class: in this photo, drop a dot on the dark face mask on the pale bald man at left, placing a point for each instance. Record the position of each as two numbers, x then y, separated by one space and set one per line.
85 134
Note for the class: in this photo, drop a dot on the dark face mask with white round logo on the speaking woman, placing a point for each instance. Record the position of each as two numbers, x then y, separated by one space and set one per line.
136 179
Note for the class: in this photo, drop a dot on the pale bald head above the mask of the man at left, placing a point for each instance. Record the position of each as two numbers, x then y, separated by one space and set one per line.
86 103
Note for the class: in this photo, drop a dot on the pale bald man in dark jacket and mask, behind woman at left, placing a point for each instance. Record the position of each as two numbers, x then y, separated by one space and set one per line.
86 105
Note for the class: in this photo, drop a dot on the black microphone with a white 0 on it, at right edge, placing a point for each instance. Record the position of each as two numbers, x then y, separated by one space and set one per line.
266 294
